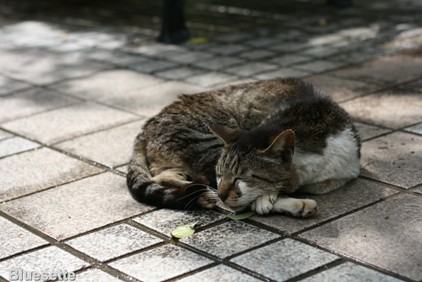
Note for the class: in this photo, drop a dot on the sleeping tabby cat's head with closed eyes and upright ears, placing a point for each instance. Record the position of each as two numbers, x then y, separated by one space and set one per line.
253 163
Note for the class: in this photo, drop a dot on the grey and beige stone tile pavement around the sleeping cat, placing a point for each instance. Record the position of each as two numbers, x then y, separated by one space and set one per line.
74 93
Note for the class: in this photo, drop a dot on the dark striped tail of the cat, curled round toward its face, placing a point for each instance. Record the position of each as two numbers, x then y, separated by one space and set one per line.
144 189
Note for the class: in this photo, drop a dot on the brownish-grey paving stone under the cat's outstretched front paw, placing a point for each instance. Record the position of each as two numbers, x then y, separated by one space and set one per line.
352 196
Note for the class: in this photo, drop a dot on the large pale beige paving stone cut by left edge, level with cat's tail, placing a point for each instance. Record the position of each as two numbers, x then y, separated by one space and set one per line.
20 176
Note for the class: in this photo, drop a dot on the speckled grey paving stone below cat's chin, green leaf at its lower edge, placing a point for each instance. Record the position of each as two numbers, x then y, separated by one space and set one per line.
165 220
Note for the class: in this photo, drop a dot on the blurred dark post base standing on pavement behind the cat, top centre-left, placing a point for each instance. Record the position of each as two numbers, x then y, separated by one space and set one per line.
173 28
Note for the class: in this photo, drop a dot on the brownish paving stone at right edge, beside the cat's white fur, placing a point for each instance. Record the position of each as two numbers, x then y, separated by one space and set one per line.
394 158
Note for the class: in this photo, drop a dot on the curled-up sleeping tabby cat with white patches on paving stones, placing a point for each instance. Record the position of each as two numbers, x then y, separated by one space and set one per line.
256 143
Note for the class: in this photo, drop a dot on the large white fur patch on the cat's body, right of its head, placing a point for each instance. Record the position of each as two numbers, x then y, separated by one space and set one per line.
338 161
